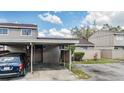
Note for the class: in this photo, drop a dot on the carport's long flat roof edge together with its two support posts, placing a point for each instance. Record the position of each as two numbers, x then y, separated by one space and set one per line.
41 41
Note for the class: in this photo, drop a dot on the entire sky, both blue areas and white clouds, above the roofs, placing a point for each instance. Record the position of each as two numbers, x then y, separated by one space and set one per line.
58 24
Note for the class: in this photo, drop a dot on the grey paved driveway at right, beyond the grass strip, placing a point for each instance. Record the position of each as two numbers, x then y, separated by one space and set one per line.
104 72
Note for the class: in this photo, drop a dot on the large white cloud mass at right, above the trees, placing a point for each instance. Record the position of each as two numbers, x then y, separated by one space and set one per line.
112 18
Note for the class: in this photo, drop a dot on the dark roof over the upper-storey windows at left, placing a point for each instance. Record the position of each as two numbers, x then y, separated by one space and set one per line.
18 26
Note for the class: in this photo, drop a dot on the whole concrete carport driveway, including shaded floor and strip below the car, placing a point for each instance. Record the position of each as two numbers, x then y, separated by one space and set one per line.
47 72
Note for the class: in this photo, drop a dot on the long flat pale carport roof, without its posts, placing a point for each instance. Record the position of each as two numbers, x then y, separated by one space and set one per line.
40 41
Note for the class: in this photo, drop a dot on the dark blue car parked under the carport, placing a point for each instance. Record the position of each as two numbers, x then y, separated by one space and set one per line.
12 64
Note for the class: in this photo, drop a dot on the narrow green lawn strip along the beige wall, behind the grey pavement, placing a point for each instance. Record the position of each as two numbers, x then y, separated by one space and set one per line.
99 61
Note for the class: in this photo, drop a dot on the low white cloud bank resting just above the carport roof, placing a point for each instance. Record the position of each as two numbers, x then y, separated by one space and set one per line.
62 33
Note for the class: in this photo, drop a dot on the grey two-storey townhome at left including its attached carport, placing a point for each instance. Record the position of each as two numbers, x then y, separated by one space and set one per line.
17 37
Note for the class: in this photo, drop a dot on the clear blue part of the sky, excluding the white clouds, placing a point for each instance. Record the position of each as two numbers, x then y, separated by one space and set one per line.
69 19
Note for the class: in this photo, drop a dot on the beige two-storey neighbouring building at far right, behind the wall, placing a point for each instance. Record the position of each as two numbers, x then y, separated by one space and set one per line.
110 43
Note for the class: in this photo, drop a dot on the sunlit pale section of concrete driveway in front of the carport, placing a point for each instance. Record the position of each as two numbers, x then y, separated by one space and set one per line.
61 75
